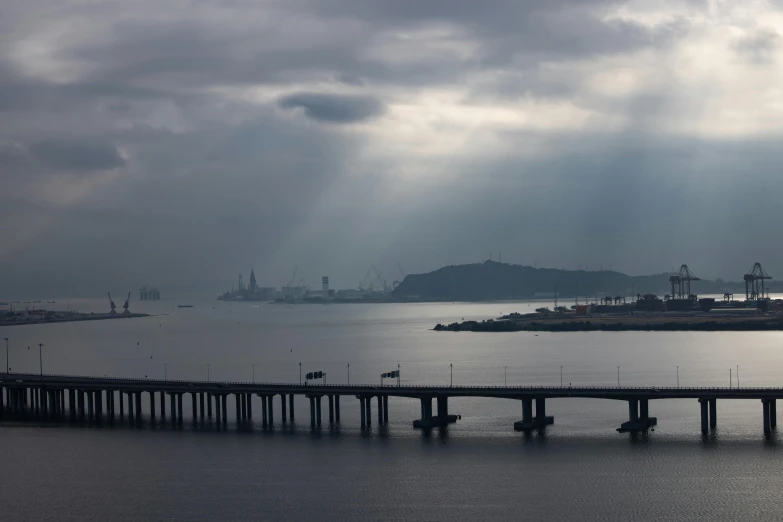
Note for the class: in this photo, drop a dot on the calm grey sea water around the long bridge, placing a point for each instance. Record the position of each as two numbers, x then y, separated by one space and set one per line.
477 469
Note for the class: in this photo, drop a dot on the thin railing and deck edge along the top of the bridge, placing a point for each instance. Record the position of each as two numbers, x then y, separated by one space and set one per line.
131 380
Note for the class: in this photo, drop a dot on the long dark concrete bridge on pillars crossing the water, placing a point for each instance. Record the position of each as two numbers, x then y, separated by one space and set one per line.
95 400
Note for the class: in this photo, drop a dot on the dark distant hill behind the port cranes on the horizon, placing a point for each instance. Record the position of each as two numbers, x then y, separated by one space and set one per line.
491 280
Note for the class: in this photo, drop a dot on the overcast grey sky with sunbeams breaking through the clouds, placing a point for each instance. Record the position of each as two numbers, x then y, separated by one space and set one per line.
176 142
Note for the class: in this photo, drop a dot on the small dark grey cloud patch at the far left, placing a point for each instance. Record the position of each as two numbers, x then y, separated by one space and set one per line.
74 155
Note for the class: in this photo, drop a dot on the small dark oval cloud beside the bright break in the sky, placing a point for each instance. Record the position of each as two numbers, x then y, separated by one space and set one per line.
333 108
